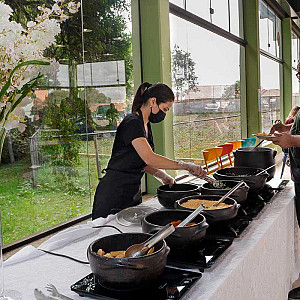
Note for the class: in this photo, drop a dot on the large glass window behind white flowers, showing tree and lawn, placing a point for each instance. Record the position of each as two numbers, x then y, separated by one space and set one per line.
71 124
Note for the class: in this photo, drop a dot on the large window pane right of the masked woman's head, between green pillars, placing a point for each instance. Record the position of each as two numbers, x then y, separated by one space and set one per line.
206 82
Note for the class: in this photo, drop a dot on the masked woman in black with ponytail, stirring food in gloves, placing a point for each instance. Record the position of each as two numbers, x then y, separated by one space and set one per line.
132 153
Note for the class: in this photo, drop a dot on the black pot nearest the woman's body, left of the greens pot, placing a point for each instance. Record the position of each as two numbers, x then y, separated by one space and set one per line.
168 195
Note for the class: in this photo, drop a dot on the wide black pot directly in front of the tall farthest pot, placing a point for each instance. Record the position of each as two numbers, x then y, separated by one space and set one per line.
246 174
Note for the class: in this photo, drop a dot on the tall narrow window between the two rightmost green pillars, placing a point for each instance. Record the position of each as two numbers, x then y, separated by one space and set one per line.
270 66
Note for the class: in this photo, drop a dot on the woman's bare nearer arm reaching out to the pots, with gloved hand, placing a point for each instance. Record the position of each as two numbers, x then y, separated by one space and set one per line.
157 161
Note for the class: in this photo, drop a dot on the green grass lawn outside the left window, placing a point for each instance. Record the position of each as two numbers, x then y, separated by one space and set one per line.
26 210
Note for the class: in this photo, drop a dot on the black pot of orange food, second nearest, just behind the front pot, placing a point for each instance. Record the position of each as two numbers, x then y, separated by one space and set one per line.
182 238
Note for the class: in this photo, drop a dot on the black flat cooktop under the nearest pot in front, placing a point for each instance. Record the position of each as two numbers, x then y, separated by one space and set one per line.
173 284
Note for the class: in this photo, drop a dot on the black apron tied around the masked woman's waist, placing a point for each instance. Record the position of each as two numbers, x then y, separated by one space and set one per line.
119 189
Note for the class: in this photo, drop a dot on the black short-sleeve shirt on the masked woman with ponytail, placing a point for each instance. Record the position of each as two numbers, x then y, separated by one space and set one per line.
124 157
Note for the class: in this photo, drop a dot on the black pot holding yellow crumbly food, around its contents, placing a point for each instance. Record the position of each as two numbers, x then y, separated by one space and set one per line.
216 215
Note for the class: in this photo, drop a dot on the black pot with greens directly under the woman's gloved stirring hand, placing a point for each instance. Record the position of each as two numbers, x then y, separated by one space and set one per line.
240 195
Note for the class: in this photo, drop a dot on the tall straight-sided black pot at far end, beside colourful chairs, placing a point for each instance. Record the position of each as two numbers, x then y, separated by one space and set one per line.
256 158
